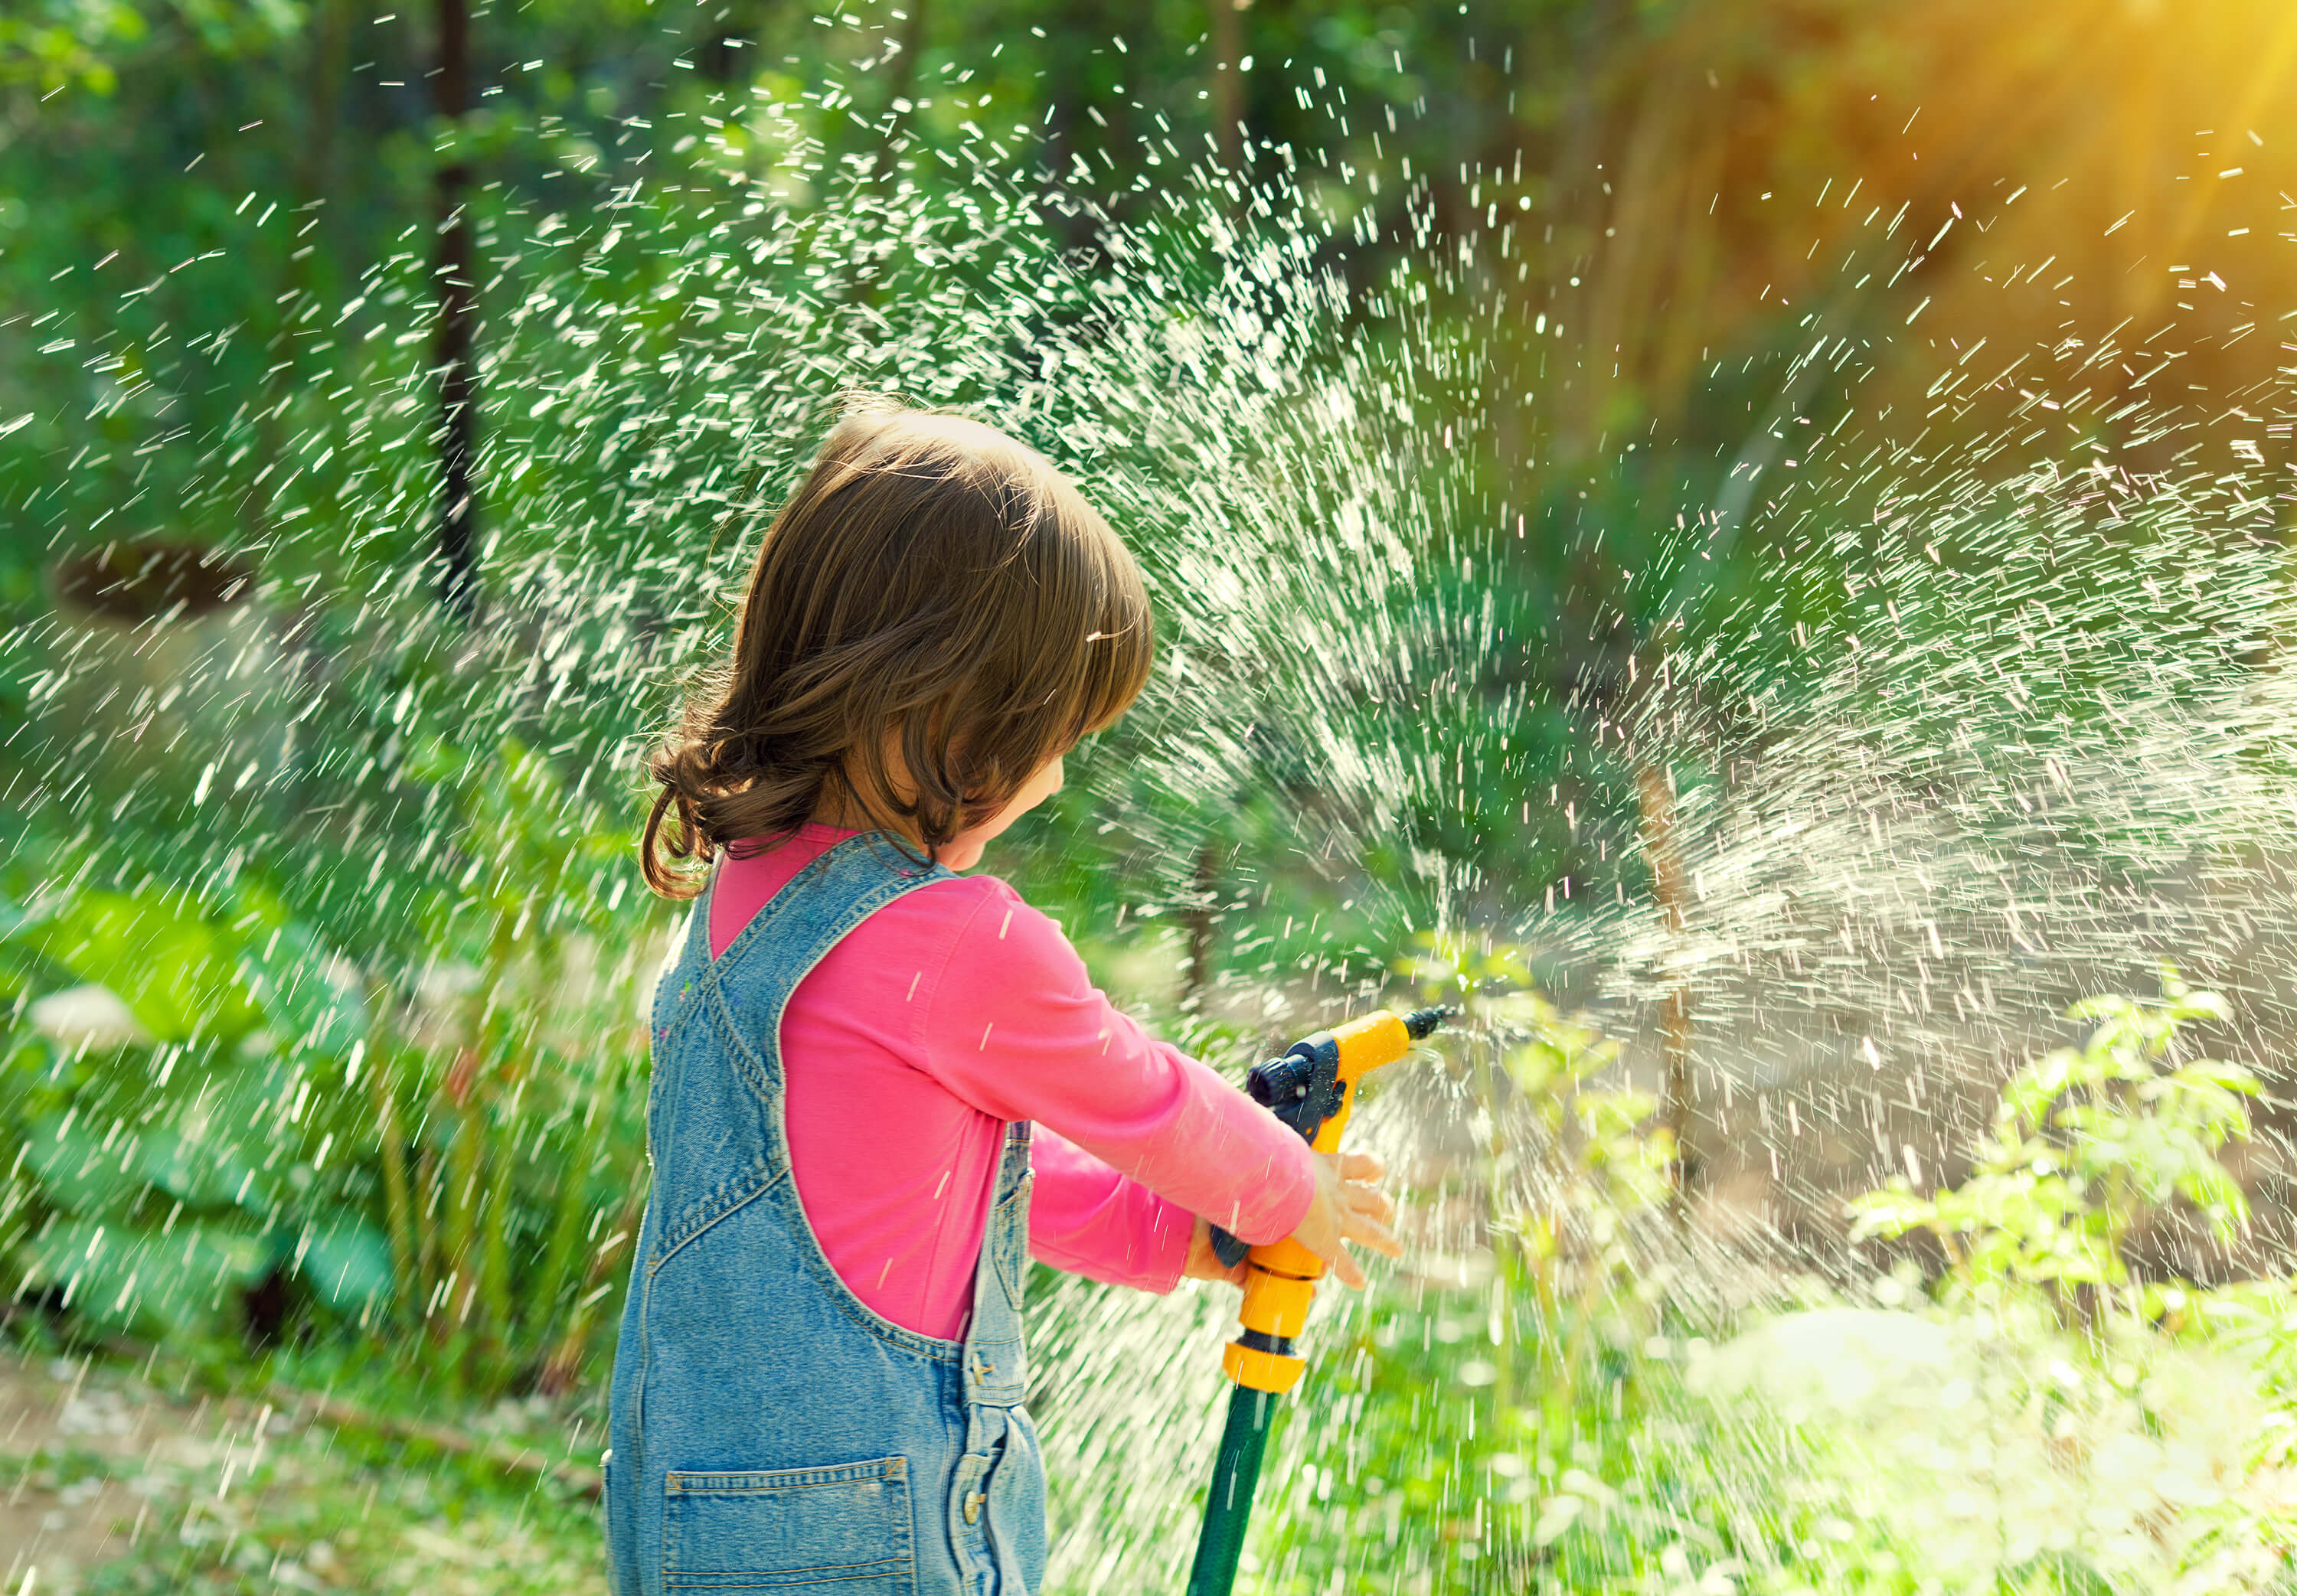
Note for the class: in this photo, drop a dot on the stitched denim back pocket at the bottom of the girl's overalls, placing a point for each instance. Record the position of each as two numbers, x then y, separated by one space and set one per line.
837 1531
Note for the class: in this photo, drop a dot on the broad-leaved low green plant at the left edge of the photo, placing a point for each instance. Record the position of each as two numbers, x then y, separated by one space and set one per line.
176 1110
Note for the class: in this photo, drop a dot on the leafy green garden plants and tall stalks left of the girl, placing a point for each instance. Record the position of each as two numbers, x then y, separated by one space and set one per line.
212 1097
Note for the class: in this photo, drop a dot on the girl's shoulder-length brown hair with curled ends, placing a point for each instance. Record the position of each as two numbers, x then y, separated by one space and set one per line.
929 580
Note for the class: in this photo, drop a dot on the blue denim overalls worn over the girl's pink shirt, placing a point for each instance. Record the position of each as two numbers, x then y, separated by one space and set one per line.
768 1430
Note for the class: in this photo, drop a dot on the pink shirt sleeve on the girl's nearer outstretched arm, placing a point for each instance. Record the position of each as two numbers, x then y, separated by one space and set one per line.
1016 1030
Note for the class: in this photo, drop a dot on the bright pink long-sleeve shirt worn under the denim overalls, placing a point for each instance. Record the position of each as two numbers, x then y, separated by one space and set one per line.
950 1014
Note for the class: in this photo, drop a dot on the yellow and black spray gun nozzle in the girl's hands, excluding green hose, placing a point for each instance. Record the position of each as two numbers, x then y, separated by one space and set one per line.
1313 1090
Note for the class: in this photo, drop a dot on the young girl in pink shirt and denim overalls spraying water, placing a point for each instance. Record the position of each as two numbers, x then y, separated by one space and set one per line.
881 1085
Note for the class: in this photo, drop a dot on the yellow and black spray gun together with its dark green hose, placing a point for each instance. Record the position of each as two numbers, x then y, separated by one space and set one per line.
1313 1090
